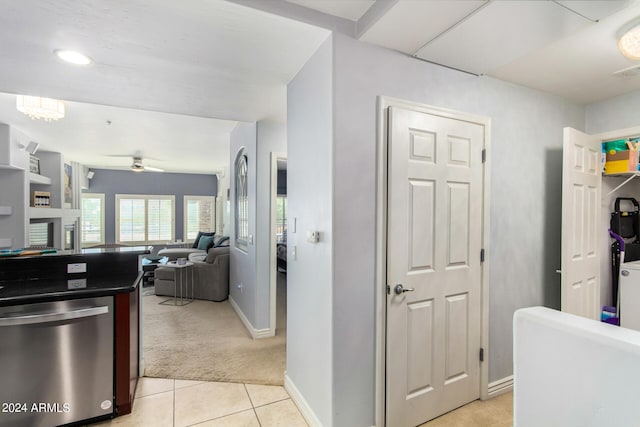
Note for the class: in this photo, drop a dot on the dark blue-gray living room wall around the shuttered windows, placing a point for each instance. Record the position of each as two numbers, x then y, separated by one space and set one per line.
112 182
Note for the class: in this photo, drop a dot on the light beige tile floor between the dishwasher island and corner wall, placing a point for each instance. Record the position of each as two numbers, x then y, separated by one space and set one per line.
178 403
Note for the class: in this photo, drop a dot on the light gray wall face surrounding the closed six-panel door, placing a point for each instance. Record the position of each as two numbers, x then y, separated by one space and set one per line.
526 142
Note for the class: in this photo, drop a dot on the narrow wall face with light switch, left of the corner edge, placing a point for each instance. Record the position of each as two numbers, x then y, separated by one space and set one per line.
309 195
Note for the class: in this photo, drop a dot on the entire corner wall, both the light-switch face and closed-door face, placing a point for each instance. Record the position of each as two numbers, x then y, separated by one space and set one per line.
339 145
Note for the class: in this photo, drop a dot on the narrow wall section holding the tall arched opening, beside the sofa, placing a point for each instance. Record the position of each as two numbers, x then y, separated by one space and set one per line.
242 263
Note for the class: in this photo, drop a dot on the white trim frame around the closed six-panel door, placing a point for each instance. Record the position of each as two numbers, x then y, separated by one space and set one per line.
384 103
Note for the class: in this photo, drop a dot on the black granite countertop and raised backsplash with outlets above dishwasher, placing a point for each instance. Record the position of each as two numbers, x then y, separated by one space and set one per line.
31 279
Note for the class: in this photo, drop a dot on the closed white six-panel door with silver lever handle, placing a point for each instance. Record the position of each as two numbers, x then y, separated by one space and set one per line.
434 241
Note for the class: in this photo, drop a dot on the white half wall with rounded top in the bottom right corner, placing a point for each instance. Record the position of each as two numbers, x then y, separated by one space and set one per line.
573 371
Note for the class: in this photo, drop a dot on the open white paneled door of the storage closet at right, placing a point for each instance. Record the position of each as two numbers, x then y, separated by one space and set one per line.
581 183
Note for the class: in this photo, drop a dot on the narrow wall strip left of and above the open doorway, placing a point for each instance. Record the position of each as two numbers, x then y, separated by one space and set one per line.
272 138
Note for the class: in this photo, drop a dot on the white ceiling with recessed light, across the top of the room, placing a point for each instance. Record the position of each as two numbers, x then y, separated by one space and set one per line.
174 78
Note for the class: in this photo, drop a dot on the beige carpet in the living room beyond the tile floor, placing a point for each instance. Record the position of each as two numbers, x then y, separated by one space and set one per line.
207 341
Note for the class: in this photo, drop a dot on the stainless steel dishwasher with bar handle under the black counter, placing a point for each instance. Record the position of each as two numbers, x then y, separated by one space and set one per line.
56 362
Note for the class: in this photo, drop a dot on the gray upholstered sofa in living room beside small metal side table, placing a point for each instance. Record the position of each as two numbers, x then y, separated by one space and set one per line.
211 276
